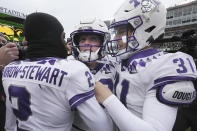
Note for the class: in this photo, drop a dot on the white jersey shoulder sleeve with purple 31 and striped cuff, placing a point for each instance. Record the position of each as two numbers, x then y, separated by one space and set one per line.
171 68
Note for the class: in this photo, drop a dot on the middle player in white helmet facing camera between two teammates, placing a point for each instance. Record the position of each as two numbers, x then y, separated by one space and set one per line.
89 39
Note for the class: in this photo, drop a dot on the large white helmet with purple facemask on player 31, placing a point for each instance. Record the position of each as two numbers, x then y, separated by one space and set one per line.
146 18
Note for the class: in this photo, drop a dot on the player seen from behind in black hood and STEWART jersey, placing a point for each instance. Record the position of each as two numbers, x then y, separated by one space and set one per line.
43 91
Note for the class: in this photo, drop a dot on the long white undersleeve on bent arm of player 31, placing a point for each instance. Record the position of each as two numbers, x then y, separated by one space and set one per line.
153 111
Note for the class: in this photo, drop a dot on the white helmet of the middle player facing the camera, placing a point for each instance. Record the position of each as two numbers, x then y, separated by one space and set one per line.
96 27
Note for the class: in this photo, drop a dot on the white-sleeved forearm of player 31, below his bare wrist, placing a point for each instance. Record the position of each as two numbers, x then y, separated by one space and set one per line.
123 118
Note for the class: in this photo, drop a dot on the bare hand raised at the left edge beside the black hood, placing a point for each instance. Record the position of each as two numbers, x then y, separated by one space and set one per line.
8 53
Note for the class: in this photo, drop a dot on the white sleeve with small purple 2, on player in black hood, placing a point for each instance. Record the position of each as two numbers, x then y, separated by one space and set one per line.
81 85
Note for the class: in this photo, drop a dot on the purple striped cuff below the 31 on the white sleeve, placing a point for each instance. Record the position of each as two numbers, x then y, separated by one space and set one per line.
169 80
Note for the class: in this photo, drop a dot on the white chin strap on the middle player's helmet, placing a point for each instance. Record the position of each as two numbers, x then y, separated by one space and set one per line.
88 56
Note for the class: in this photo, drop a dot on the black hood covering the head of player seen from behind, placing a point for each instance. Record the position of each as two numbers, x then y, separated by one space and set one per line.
43 34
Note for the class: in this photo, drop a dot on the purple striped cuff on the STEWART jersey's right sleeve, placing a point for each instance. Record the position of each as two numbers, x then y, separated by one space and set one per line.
80 98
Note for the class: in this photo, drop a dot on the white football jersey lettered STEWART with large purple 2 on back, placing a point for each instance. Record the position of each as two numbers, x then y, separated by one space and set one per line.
44 93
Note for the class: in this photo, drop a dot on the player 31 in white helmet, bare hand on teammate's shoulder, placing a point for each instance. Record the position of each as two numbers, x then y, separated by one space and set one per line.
150 84
